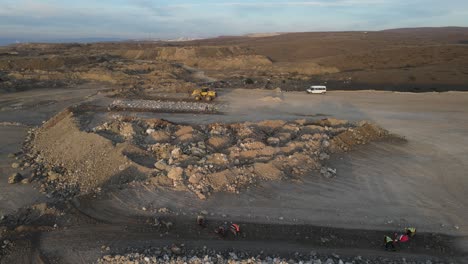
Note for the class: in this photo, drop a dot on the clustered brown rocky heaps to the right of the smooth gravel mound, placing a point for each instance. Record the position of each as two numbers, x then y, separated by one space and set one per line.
228 157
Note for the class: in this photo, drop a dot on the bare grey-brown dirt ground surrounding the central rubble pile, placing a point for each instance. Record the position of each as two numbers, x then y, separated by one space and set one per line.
382 186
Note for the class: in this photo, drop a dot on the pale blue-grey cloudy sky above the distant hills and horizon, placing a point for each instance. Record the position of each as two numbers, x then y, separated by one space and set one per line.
49 19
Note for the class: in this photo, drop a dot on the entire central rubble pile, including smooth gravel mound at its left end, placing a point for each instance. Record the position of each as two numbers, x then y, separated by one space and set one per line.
202 159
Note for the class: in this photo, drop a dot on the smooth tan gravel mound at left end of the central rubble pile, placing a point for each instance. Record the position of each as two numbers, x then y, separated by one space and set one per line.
80 161
